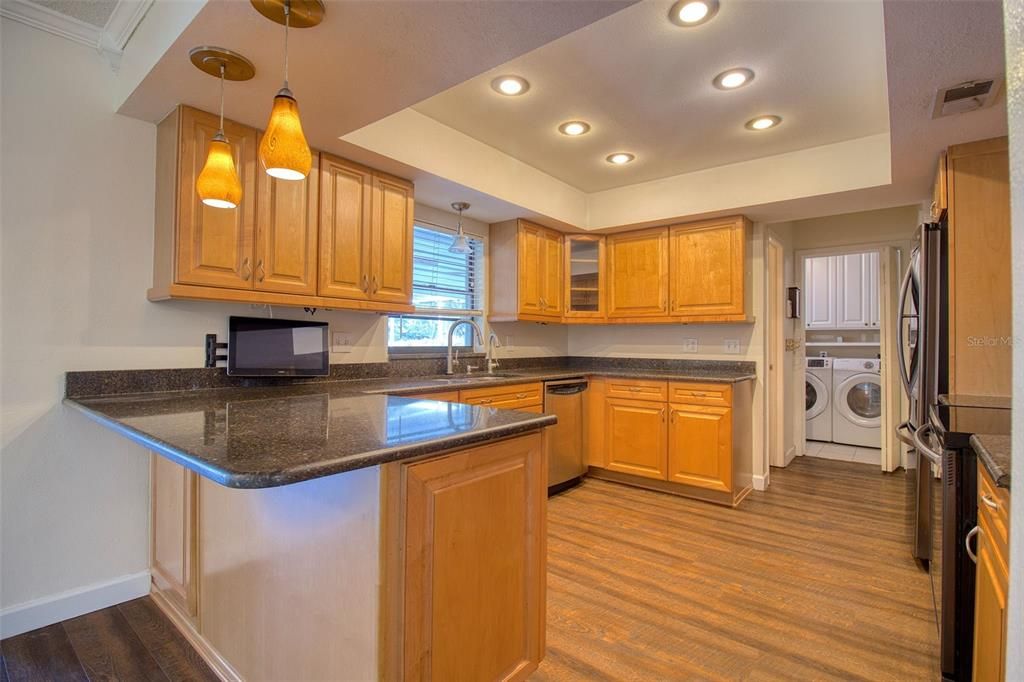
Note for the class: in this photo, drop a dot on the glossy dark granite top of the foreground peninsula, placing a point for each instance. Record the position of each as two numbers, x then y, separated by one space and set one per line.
264 438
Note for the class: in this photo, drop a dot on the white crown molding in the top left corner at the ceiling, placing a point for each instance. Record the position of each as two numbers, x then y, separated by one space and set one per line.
109 41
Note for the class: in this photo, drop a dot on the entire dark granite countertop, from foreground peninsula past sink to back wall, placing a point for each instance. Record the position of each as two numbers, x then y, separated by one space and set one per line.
263 437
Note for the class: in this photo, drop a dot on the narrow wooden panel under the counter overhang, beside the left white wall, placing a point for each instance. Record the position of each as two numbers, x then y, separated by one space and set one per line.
175 557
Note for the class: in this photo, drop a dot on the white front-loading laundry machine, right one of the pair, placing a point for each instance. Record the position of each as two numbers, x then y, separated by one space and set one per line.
858 402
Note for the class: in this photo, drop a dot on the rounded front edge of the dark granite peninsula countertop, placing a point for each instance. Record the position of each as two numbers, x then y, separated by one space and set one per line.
320 470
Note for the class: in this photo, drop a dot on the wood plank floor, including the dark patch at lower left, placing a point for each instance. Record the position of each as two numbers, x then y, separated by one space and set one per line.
810 581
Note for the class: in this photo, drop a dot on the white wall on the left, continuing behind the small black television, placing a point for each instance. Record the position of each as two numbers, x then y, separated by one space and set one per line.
77 259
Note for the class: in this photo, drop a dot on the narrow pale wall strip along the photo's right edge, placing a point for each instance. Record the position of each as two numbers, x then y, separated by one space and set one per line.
1014 23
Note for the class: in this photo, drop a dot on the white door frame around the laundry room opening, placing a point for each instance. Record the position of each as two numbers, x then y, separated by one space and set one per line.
892 255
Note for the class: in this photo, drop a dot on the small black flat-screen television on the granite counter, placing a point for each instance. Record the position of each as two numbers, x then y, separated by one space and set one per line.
264 348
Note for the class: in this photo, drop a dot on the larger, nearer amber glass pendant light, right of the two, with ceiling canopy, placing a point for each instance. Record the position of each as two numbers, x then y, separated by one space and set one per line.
284 151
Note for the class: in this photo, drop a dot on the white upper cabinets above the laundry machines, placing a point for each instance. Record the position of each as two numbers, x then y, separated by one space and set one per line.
842 292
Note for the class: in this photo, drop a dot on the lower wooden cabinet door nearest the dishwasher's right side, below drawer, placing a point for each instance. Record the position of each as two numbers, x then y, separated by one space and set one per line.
636 438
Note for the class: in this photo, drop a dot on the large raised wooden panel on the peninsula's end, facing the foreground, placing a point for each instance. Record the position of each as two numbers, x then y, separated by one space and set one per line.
473 615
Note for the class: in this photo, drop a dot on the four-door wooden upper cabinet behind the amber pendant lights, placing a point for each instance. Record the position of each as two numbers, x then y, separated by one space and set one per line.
342 238
